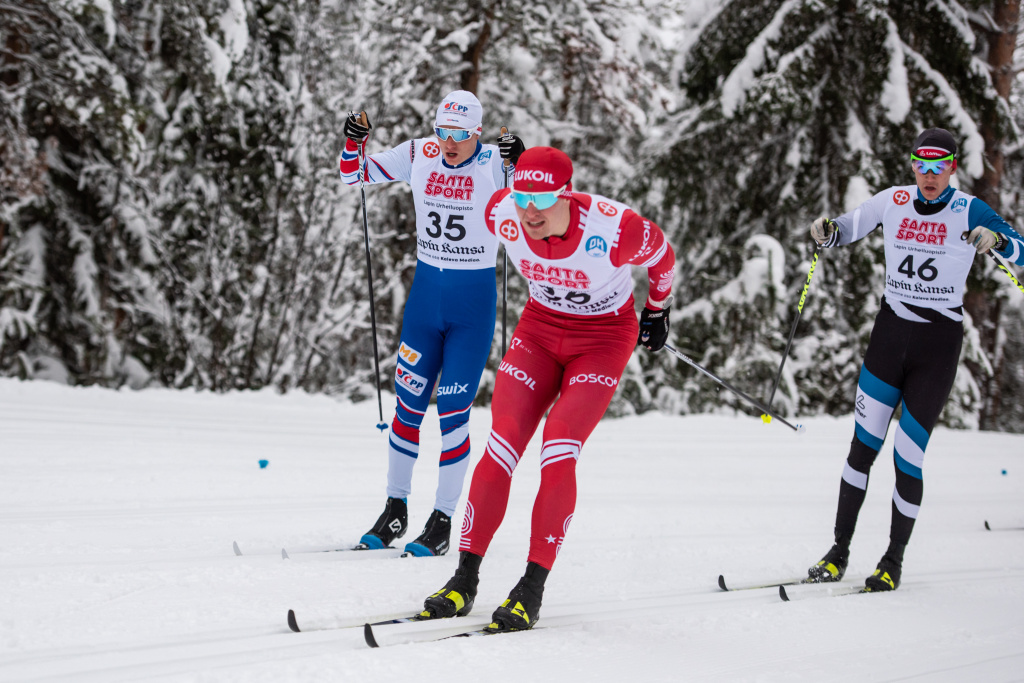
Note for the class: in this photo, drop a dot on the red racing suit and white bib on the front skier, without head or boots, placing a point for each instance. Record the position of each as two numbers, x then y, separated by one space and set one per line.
569 352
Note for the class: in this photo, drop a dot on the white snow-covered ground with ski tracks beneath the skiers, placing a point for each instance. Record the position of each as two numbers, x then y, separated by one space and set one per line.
118 510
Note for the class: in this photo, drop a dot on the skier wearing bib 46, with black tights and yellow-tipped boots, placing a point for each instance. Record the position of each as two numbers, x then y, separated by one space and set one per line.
916 343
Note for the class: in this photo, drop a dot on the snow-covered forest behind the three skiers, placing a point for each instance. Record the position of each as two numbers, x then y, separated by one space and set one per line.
173 214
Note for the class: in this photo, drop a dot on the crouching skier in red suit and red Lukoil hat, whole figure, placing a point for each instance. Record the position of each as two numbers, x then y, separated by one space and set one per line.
576 335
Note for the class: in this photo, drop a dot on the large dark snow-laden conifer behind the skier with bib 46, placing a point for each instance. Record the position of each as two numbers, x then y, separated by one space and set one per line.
796 109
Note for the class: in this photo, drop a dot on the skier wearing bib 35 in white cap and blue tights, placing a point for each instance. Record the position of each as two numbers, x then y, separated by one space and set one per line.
449 322
